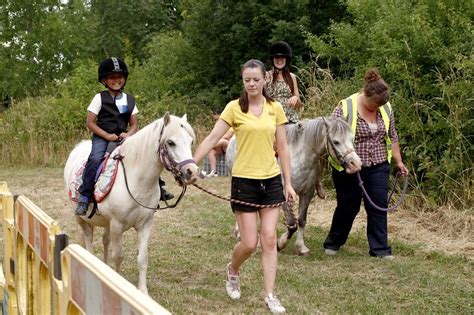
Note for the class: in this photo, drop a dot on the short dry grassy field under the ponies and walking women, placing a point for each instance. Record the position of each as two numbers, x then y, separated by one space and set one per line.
191 245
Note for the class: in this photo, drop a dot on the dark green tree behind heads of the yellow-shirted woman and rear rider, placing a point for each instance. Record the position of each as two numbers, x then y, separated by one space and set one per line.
227 33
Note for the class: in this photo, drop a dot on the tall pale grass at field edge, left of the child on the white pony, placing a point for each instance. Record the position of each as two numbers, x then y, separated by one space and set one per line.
40 131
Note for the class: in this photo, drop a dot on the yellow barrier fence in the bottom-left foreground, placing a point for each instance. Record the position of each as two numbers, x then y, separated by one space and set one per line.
45 275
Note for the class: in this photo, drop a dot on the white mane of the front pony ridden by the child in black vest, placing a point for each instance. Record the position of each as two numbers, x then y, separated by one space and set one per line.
147 138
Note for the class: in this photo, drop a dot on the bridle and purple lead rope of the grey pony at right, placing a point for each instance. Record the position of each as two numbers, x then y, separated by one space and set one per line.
341 157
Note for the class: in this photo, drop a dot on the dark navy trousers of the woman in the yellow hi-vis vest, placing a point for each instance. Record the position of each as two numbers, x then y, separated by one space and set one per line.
349 196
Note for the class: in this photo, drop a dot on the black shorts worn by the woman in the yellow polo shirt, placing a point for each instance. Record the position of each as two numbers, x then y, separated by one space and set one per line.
258 191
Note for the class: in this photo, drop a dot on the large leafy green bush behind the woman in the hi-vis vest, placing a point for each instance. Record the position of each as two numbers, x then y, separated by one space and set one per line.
424 51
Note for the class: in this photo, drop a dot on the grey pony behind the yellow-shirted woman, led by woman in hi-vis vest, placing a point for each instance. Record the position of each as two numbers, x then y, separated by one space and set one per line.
308 141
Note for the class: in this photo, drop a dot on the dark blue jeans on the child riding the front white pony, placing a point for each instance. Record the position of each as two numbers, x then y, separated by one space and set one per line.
99 147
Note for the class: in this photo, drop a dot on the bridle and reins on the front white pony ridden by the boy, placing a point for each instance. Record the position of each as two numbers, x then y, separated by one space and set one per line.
169 164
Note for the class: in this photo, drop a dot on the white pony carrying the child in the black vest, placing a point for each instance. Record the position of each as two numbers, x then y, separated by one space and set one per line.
136 189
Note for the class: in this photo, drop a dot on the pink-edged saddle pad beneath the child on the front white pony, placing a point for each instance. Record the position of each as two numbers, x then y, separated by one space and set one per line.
104 178
